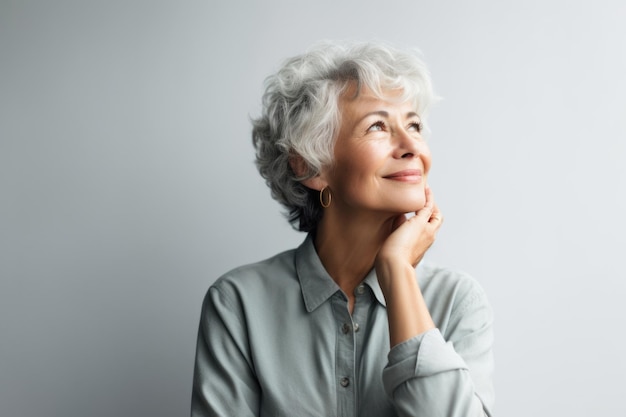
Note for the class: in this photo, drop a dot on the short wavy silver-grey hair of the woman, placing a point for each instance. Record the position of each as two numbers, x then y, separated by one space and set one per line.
301 116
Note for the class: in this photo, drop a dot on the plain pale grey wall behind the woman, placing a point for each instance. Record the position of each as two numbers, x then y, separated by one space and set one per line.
127 186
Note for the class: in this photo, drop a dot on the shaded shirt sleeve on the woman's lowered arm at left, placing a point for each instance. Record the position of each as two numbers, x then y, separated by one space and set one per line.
224 383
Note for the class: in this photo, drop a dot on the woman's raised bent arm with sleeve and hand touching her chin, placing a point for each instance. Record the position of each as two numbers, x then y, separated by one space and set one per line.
427 375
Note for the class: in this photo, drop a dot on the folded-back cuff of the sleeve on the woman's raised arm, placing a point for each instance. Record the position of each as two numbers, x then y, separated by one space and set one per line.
419 357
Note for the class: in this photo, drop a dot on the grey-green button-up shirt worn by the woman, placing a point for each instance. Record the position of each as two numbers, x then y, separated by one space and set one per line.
276 338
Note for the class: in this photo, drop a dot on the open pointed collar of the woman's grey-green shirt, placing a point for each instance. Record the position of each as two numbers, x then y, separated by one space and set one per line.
317 286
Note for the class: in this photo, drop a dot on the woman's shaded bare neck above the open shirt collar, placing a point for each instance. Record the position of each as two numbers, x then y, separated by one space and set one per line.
348 244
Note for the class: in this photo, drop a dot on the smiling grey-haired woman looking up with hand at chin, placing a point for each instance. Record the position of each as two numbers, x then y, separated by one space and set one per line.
352 322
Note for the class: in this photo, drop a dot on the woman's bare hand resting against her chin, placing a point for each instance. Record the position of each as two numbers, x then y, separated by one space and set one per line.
411 238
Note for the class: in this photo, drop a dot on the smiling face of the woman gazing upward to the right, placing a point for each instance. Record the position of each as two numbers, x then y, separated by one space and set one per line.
381 160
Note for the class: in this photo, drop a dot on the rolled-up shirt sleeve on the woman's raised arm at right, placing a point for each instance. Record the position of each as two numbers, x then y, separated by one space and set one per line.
431 376
